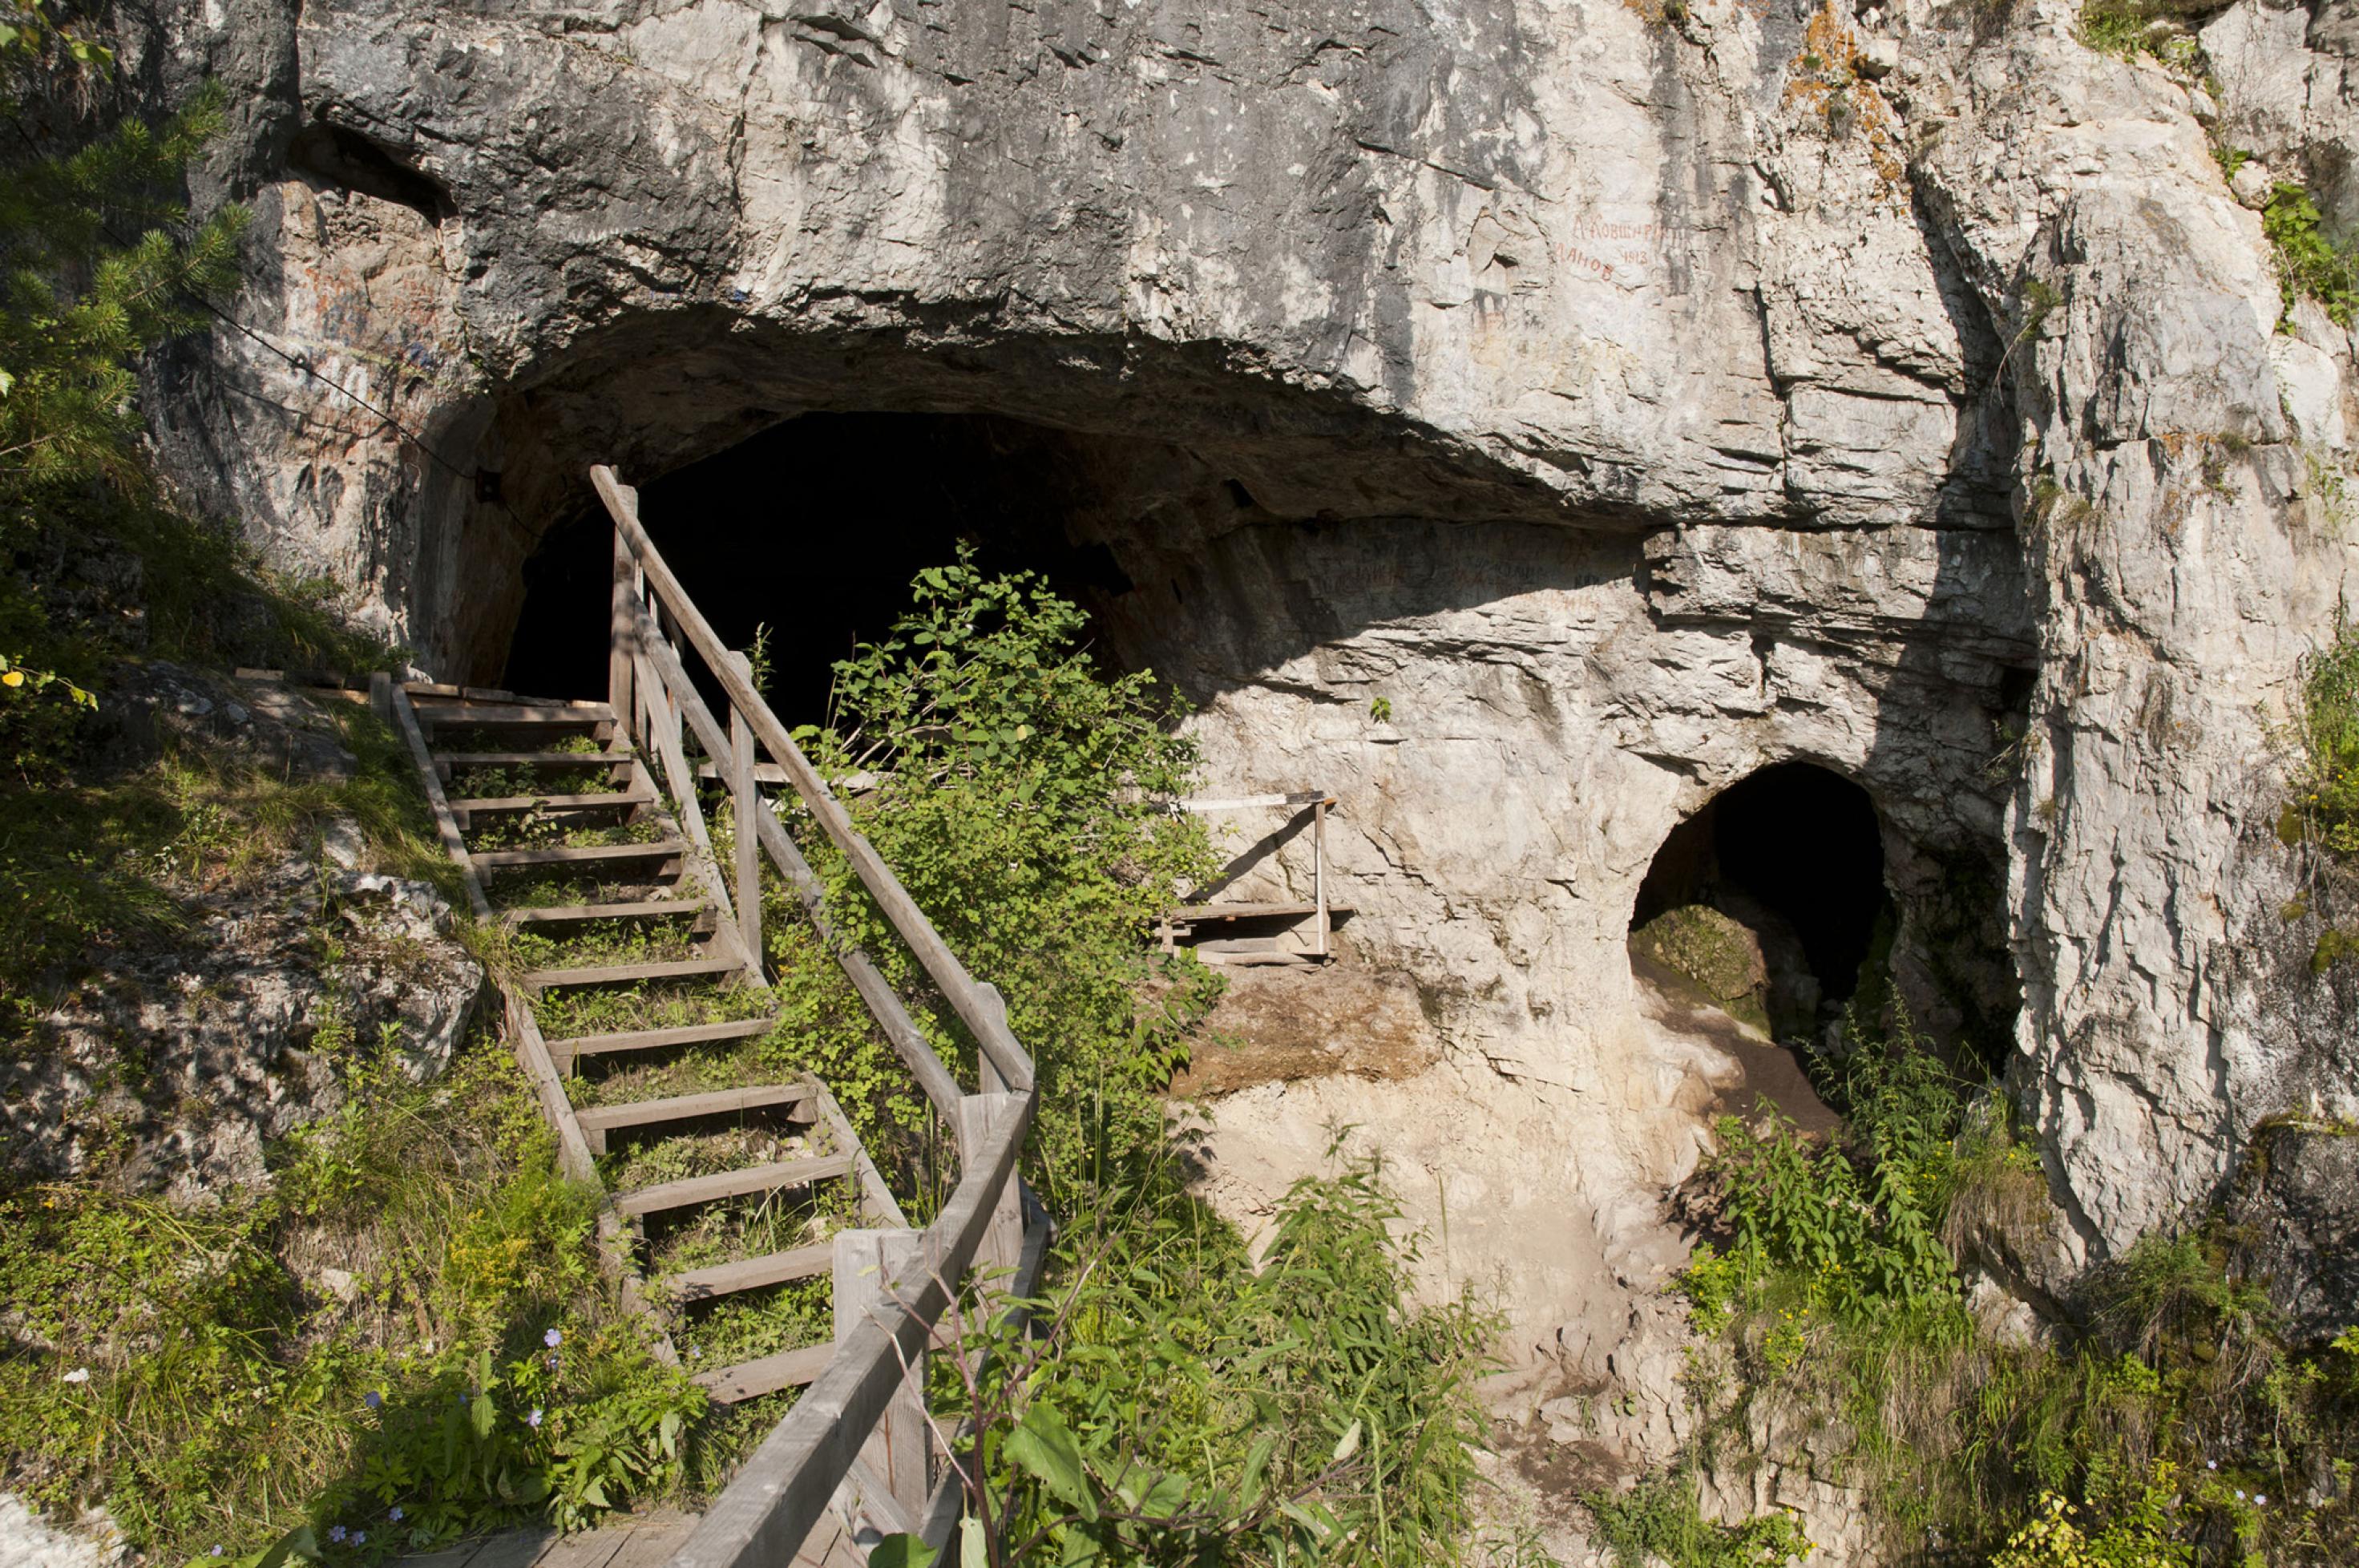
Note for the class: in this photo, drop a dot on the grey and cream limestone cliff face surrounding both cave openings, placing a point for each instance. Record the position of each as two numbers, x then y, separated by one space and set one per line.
1629 397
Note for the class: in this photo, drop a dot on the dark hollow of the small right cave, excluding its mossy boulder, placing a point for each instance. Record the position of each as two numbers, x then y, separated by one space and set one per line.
1796 855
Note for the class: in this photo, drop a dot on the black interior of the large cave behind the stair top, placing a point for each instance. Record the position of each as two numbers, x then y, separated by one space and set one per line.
815 532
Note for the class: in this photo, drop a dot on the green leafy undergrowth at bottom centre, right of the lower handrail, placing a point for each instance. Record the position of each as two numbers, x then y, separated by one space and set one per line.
1181 1406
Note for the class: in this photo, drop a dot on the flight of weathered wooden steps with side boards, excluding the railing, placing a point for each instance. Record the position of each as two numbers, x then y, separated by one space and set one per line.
610 895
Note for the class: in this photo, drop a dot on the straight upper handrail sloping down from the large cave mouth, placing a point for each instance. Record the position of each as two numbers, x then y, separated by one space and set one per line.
975 1006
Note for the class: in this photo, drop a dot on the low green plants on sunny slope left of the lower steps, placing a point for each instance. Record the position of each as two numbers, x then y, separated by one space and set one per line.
192 1373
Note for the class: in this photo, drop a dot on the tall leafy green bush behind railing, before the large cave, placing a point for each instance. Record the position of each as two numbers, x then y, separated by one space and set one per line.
1023 798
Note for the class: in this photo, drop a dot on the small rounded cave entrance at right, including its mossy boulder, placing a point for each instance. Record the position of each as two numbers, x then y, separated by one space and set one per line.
1773 897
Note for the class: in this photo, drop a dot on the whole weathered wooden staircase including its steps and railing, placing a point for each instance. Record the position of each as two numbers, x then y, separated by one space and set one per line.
581 829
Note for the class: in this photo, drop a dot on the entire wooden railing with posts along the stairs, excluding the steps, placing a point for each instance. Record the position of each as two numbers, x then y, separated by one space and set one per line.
777 1508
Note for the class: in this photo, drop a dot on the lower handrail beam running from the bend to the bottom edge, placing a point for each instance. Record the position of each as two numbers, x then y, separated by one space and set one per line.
784 1487
